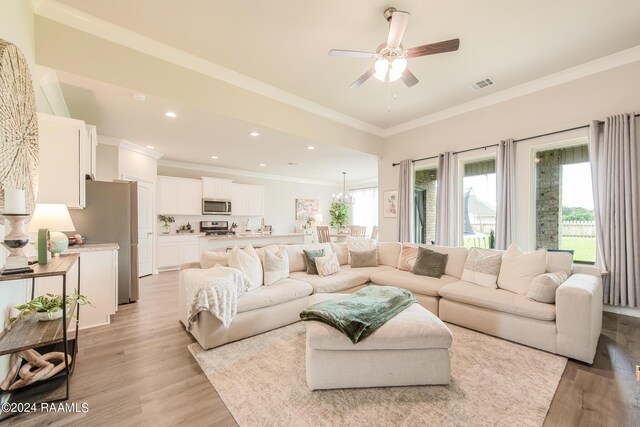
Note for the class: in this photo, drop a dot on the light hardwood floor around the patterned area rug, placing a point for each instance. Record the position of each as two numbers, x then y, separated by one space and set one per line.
138 371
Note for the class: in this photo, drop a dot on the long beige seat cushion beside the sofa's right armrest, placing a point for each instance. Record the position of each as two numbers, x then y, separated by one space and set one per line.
498 300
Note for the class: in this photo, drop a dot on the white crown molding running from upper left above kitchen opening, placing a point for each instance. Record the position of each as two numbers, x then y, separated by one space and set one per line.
74 18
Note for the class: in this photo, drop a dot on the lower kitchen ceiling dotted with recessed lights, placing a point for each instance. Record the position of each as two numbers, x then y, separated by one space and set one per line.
194 136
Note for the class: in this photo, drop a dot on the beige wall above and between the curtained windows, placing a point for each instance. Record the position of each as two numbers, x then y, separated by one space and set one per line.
564 106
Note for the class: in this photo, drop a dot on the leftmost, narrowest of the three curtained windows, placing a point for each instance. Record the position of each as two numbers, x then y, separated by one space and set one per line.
424 191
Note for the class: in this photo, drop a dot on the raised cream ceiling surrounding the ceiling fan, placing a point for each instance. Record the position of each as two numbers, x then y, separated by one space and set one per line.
284 43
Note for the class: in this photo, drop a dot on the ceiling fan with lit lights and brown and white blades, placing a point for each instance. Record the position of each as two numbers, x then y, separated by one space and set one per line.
391 57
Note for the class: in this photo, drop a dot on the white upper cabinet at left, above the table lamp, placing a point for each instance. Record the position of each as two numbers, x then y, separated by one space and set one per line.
66 156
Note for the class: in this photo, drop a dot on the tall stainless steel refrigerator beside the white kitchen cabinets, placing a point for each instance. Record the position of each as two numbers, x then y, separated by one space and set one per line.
111 216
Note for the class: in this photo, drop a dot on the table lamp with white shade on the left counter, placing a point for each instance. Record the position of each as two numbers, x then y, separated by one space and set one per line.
51 217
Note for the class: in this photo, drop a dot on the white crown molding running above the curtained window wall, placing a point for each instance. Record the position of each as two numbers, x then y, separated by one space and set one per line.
593 67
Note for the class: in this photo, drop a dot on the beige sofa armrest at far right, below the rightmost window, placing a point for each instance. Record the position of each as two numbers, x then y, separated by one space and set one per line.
579 316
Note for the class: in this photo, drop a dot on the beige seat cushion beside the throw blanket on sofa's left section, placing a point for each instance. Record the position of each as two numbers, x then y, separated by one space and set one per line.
280 292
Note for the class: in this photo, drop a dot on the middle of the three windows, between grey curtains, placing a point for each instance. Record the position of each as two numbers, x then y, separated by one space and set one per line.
479 203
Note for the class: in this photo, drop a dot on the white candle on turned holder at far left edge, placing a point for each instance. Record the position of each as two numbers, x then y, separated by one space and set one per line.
15 212
